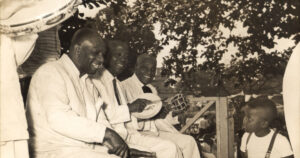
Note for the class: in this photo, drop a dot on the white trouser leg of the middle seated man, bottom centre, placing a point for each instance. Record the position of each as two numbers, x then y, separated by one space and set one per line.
162 147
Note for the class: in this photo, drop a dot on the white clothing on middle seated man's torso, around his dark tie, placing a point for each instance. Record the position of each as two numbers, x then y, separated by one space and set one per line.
116 114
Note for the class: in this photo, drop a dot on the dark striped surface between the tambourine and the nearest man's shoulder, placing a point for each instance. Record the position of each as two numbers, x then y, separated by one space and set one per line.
47 49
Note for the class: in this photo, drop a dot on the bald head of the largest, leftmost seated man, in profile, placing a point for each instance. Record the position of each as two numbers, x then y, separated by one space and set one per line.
87 50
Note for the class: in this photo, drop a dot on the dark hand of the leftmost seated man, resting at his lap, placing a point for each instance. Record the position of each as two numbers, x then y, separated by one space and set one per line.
116 145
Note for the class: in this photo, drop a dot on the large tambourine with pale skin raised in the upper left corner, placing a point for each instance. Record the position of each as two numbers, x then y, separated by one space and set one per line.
41 16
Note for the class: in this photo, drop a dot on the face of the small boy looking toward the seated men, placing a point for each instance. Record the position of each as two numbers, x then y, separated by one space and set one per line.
253 120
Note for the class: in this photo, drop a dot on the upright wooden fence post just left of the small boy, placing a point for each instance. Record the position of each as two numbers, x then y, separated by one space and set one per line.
225 134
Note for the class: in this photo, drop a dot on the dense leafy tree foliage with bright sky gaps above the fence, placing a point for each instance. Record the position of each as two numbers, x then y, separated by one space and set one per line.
204 29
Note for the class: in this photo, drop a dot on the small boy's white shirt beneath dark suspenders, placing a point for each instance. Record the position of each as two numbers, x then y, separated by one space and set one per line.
257 146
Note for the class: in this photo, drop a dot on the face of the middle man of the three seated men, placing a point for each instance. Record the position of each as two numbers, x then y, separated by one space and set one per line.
118 60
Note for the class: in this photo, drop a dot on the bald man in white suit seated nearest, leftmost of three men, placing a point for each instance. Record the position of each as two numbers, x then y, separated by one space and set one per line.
64 108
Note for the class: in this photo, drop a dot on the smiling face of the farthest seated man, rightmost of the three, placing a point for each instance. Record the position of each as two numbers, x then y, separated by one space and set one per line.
146 71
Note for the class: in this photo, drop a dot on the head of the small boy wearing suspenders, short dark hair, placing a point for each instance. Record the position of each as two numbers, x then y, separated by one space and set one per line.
259 114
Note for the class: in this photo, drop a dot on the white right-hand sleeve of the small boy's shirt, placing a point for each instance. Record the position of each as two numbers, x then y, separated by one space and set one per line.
283 146
